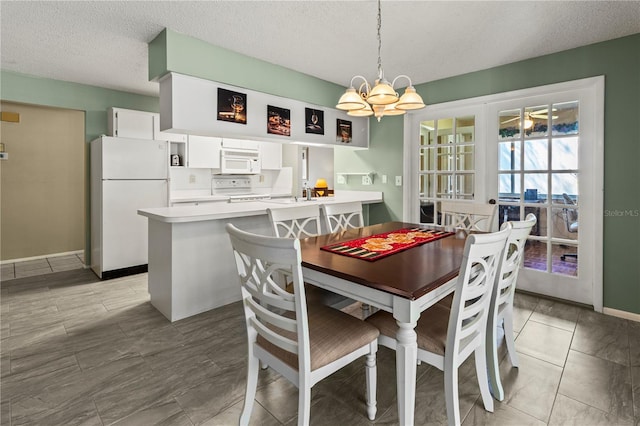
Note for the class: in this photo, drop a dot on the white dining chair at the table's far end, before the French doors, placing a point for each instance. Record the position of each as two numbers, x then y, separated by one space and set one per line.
468 216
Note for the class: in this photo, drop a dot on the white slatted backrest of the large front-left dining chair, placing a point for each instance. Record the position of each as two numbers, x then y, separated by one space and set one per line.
271 312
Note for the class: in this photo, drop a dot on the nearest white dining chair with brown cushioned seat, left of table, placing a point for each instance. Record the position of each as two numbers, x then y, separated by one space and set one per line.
303 343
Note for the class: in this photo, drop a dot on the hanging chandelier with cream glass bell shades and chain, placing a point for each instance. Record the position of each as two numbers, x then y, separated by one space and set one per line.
382 99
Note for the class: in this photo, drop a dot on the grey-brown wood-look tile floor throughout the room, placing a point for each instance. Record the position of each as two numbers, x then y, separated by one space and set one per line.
79 351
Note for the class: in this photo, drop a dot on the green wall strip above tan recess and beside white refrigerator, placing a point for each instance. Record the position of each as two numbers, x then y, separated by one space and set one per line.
94 101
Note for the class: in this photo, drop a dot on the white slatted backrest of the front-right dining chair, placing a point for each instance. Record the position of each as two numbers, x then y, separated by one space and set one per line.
472 297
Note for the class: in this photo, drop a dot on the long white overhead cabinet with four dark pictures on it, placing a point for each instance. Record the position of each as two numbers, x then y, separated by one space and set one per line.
196 106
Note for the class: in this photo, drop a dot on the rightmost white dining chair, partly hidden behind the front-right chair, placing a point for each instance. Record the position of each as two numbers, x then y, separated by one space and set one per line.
501 308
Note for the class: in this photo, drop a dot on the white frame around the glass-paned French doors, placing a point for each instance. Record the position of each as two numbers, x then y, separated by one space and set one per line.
592 189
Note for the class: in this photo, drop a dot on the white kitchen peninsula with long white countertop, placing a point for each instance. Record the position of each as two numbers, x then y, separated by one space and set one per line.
191 266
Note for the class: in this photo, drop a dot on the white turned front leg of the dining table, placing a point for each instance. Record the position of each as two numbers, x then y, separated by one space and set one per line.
406 361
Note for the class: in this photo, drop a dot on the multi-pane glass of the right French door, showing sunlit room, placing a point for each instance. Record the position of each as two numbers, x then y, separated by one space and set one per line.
538 173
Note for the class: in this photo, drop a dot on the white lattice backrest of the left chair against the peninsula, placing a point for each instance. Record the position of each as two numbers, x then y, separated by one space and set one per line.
295 222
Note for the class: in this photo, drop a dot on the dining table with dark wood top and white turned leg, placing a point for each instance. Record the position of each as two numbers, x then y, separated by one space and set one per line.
404 283
